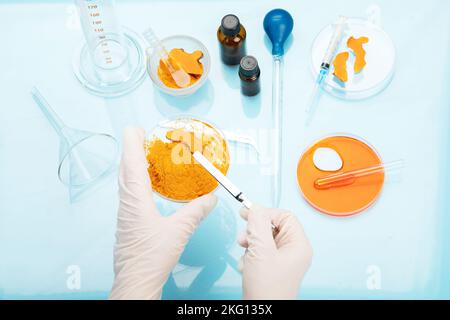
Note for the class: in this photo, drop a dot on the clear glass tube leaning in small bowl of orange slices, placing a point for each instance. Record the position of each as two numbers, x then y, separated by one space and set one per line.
181 78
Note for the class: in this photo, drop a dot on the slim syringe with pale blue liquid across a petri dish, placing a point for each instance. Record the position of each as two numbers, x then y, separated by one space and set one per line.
325 66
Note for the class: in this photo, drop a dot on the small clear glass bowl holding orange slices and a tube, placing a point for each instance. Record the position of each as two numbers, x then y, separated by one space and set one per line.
188 44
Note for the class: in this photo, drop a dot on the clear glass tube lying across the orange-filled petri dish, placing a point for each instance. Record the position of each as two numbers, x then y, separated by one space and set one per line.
349 177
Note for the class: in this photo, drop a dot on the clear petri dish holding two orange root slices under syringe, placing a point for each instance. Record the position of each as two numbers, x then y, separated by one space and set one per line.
380 58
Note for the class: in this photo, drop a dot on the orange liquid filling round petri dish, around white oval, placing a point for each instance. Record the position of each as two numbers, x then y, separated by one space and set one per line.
352 196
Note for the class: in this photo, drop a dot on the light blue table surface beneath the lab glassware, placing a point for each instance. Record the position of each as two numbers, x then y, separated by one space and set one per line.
404 239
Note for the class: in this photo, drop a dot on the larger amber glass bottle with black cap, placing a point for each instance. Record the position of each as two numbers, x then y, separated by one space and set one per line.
231 35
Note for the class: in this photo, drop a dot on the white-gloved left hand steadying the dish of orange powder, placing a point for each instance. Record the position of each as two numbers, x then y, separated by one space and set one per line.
148 245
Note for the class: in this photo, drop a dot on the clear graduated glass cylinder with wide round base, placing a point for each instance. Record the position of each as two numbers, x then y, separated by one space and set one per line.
112 61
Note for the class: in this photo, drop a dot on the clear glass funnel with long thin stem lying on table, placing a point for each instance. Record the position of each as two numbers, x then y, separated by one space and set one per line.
84 157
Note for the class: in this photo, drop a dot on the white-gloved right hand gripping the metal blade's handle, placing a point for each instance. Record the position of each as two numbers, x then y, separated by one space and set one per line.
273 267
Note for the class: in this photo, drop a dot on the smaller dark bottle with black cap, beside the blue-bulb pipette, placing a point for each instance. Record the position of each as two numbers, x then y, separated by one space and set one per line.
249 73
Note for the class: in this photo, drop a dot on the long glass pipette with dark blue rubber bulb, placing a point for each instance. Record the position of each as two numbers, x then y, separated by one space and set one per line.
278 25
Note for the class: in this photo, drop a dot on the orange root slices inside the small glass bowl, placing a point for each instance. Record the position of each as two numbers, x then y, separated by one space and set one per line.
189 62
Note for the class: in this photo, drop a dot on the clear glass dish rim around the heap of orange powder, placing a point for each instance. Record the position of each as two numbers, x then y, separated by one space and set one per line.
160 130
